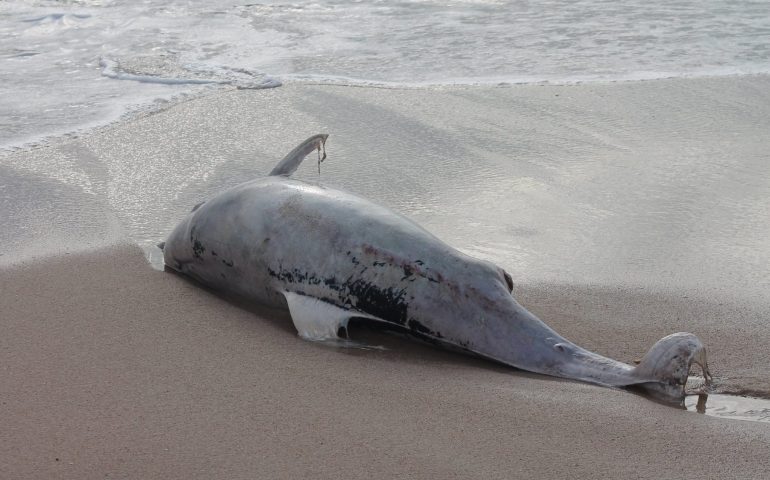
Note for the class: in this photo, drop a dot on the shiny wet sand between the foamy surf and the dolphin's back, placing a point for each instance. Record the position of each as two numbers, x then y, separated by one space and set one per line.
588 188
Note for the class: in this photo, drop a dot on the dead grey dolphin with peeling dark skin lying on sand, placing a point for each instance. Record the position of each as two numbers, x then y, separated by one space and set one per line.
331 256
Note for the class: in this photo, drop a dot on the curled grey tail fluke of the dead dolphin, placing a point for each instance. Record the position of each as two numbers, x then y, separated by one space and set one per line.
665 368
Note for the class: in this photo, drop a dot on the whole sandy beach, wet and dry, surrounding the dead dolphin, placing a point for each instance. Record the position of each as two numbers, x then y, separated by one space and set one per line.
624 212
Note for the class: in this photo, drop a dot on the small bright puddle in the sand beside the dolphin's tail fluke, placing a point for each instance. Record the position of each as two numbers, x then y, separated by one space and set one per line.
730 406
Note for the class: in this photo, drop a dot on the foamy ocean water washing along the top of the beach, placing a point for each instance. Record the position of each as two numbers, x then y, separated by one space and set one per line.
72 64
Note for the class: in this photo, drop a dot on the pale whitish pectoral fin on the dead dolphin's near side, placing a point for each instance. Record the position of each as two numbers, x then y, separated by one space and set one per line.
315 319
